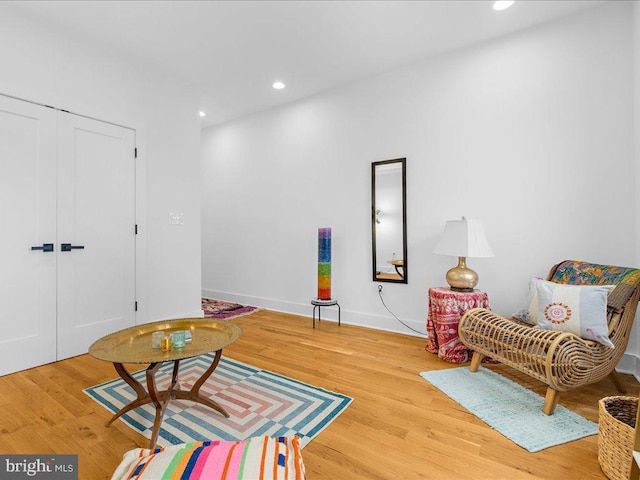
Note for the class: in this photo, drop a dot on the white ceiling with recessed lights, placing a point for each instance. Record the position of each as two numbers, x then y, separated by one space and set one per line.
232 51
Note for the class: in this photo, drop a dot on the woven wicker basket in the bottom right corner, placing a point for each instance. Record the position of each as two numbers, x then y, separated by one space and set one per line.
616 435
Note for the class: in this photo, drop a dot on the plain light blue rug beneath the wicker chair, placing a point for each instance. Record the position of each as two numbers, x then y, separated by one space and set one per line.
511 409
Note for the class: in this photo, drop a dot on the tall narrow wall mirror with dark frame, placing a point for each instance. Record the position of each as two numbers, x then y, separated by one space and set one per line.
389 220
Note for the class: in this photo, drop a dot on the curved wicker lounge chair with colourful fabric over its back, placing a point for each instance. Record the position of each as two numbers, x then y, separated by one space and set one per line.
563 361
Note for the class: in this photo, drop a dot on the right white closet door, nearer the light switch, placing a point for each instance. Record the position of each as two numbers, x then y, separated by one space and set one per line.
96 210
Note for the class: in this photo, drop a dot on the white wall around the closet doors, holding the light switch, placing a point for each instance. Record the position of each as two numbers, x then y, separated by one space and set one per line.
43 64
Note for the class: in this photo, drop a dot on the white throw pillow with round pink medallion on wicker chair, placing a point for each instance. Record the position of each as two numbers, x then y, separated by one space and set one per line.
577 309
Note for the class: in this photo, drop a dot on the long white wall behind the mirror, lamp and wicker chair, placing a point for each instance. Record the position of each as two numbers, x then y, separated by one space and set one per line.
532 133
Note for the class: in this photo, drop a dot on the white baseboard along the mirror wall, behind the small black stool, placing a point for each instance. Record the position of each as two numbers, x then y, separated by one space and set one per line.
377 322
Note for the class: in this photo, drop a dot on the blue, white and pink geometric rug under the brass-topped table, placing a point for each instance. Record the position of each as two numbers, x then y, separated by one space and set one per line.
259 403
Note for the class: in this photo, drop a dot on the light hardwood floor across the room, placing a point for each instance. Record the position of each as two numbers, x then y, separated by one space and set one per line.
398 426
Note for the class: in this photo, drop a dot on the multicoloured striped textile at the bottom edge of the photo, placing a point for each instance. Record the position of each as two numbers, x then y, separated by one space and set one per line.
257 458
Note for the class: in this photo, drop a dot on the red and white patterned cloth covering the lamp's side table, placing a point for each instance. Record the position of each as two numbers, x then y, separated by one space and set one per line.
446 308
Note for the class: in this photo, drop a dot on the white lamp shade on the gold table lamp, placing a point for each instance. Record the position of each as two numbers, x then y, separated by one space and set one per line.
464 238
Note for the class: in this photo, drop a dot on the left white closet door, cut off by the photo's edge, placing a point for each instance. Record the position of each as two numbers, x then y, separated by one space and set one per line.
28 213
